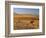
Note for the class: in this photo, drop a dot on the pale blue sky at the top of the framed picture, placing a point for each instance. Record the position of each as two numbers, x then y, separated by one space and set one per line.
26 11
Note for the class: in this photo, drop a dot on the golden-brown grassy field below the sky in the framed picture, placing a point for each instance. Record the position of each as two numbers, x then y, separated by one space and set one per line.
26 22
